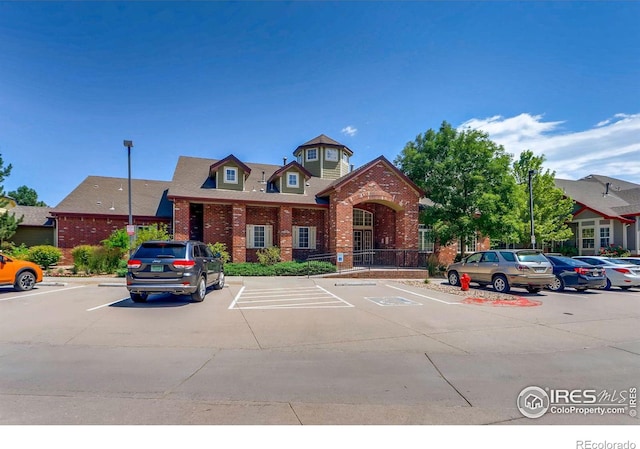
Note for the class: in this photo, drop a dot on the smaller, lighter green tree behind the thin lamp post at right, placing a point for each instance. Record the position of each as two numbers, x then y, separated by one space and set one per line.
552 211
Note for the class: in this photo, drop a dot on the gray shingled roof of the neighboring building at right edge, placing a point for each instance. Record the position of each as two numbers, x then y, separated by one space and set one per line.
609 197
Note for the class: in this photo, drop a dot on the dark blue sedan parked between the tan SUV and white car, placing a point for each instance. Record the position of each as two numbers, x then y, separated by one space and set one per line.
573 273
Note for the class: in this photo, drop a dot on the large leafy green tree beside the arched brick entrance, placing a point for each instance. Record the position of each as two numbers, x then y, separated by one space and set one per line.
468 178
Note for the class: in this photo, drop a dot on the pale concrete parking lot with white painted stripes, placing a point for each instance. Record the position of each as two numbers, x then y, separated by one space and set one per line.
312 351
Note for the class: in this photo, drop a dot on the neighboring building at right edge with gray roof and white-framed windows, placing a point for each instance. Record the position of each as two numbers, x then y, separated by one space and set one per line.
607 211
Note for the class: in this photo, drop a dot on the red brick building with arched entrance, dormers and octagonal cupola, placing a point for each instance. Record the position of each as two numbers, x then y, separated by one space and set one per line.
312 205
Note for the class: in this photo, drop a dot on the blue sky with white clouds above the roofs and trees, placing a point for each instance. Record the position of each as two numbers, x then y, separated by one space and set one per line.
209 79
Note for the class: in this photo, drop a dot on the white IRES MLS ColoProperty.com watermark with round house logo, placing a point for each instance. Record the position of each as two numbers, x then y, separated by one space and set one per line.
534 402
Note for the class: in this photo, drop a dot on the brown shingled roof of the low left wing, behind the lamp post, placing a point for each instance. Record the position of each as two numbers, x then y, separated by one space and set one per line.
102 195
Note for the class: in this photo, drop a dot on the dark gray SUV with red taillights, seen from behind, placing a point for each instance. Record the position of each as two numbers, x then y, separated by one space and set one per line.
173 266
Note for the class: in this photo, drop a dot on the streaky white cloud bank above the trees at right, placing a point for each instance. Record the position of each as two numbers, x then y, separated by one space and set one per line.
610 148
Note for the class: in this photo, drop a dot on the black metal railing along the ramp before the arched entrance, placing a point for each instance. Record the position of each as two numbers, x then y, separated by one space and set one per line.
375 259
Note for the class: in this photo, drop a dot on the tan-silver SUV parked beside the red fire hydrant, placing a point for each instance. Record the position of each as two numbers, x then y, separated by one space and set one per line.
504 268
